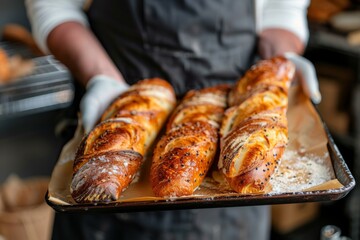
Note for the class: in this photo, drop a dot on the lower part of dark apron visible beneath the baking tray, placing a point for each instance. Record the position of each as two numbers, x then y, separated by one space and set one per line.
240 223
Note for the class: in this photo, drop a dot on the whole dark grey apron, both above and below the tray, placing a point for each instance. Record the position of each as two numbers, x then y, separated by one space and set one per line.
192 44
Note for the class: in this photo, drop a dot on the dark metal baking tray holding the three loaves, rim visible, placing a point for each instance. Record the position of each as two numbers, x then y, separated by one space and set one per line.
341 171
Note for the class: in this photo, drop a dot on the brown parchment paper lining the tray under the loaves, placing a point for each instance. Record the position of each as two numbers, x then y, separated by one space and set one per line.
306 160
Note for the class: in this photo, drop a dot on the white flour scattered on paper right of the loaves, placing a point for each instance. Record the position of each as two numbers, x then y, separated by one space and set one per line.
298 172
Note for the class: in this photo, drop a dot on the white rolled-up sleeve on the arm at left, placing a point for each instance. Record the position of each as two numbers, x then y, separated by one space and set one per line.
45 15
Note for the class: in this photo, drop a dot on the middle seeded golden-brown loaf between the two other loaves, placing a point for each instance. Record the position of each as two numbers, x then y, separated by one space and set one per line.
185 153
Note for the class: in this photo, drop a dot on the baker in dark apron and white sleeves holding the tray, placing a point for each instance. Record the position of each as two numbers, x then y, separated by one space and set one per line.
109 45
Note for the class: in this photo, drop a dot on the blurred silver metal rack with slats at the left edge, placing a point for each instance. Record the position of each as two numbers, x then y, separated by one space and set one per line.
48 87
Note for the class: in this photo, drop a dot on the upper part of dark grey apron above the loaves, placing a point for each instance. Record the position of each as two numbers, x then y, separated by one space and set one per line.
192 44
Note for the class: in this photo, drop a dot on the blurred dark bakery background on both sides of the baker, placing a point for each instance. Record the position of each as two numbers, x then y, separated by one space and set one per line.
38 115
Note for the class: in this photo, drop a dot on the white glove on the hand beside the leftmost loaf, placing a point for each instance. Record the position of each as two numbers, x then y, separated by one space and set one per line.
101 90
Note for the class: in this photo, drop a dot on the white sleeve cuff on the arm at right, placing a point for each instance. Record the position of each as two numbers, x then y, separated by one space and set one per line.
290 15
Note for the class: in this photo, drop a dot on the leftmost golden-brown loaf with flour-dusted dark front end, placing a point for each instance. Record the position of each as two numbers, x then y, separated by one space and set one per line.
110 156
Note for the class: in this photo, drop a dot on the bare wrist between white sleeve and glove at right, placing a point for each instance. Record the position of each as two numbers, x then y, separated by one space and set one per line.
275 41
